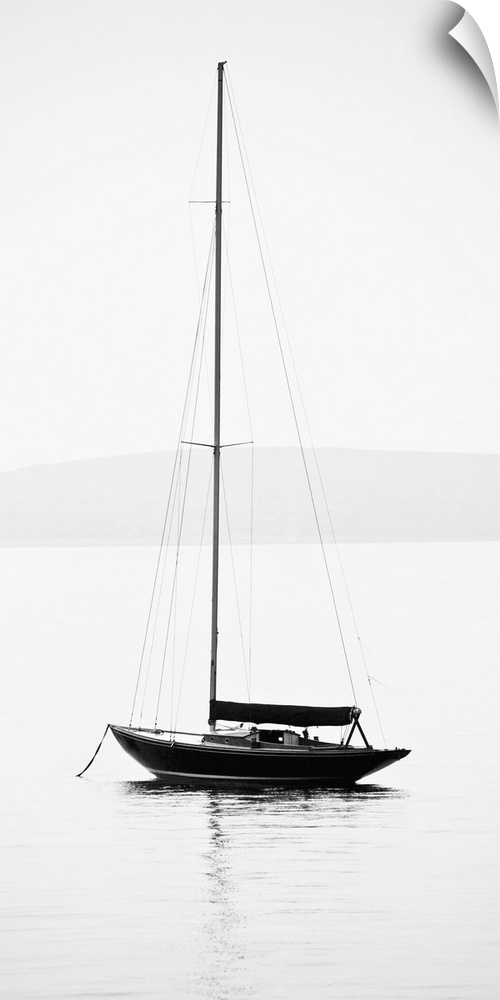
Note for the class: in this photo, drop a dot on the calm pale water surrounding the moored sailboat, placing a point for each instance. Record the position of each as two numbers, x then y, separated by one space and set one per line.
114 886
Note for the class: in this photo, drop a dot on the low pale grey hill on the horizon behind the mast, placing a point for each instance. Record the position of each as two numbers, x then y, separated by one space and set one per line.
372 495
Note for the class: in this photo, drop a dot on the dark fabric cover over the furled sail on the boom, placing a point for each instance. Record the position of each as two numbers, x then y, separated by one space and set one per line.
291 715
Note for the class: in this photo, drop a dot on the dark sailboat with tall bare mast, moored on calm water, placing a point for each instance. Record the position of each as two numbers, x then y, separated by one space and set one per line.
264 748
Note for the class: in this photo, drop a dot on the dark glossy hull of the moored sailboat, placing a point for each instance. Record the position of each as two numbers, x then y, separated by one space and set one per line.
213 764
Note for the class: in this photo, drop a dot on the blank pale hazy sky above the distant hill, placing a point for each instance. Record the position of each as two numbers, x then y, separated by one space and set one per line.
375 156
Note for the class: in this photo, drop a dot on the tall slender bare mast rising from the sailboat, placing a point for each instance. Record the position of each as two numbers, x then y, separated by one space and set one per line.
216 493
